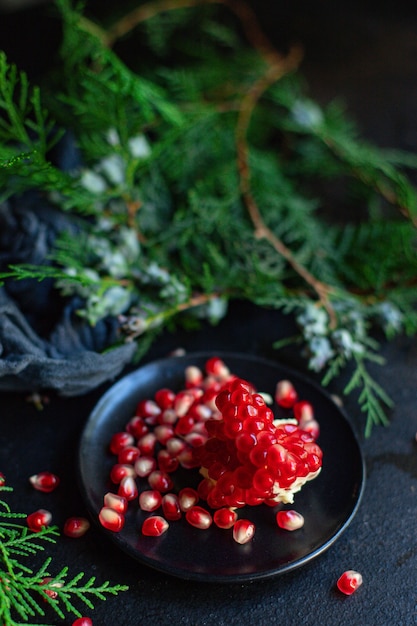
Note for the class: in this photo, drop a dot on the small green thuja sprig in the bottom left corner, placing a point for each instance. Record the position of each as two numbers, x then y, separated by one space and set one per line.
26 593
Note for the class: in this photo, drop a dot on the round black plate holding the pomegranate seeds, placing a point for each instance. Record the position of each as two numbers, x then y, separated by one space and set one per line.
328 503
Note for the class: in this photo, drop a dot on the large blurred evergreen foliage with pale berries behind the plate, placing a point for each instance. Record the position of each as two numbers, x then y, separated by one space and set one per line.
206 174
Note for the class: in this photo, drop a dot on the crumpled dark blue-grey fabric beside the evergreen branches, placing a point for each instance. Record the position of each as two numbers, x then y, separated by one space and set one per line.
44 344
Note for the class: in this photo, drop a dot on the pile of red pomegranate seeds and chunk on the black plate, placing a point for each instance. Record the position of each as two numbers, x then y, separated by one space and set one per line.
220 425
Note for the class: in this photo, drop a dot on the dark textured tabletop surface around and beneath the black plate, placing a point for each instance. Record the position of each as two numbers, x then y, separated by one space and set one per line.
367 55
